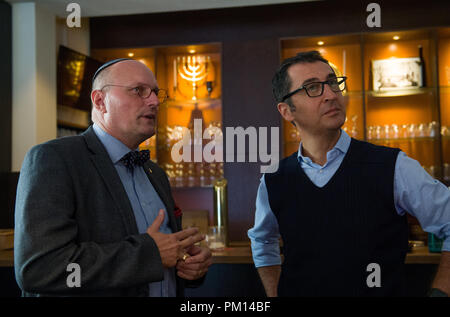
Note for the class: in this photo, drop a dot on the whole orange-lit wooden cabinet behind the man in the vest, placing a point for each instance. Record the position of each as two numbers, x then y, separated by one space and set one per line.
392 99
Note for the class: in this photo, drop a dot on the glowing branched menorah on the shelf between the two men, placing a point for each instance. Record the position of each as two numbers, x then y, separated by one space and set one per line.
195 70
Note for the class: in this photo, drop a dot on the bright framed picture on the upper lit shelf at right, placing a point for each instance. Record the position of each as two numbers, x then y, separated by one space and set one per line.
397 76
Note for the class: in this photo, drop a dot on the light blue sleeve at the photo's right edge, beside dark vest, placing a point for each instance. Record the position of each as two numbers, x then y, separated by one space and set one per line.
423 197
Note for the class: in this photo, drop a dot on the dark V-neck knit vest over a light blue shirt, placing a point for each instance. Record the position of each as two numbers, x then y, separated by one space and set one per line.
331 234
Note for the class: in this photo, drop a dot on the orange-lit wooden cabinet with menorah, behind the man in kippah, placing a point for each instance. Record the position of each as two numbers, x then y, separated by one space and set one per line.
191 74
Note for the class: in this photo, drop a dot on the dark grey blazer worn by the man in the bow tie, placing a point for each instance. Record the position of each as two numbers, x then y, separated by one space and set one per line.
71 207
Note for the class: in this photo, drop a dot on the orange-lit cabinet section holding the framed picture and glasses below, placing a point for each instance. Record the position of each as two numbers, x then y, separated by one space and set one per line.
407 118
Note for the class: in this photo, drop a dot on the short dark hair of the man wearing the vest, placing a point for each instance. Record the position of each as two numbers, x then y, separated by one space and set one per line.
281 82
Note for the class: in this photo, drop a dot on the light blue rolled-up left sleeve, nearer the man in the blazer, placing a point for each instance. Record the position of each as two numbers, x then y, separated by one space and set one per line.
264 235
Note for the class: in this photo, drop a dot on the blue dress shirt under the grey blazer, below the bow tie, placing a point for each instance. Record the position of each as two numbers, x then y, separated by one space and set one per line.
145 202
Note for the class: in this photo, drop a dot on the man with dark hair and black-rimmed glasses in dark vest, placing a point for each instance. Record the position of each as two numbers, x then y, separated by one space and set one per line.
339 204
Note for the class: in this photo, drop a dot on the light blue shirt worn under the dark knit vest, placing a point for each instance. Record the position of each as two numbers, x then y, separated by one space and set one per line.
415 192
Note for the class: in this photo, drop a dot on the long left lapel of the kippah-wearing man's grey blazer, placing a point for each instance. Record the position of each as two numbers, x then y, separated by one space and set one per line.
106 169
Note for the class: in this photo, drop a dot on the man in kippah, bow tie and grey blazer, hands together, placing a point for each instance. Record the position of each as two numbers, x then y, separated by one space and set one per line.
94 203
